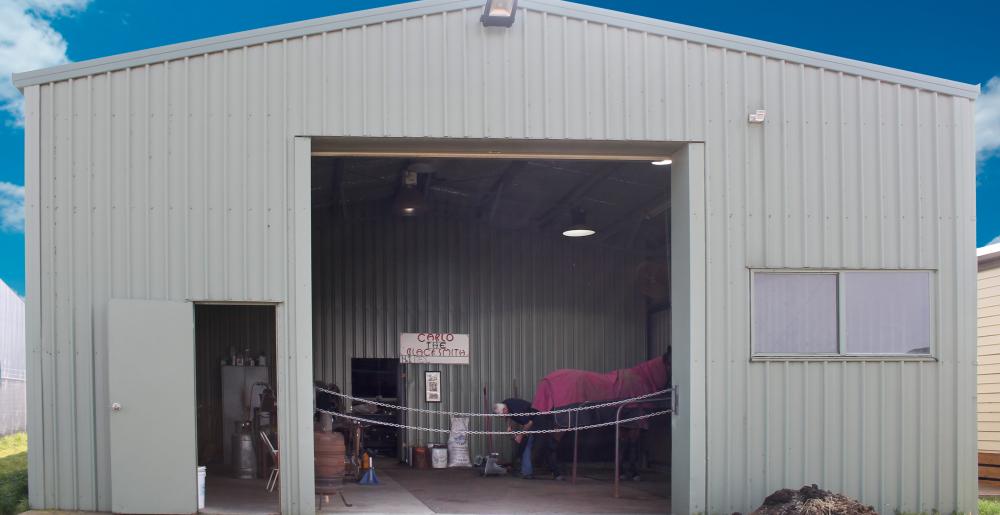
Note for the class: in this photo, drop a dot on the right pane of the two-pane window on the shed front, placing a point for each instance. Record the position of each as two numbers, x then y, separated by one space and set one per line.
887 312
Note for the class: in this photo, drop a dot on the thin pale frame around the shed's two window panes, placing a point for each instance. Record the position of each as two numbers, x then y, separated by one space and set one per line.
841 354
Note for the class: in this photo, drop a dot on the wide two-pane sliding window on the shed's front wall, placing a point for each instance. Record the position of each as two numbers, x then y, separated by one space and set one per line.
841 313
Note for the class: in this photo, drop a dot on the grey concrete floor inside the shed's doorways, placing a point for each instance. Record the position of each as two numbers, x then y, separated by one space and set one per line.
404 490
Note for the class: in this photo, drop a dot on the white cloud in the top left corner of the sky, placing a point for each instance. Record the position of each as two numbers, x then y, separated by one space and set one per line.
28 42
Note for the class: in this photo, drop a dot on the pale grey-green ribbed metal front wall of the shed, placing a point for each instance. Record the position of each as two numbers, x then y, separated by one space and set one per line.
171 181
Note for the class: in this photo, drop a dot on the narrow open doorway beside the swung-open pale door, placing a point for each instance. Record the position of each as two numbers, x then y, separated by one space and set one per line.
236 409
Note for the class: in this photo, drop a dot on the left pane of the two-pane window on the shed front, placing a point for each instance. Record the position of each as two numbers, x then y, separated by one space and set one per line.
795 313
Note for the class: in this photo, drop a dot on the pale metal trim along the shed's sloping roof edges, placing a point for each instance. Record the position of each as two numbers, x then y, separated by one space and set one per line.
557 7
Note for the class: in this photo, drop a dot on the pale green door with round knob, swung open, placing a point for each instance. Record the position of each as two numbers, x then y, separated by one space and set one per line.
152 411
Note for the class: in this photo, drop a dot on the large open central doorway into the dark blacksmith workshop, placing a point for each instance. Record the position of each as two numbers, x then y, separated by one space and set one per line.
476 247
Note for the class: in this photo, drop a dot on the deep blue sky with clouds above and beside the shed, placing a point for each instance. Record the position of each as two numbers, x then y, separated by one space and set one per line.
956 40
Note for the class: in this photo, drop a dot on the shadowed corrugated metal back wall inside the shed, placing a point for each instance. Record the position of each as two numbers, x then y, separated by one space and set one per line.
531 303
